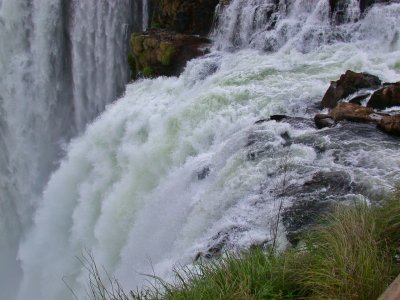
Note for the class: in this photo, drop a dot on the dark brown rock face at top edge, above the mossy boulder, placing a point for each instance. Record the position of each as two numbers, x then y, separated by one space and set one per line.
191 17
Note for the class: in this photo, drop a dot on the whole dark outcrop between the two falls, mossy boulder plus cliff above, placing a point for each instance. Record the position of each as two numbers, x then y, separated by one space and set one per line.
176 36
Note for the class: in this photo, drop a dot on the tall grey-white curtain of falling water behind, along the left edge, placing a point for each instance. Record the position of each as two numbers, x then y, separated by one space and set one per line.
60 64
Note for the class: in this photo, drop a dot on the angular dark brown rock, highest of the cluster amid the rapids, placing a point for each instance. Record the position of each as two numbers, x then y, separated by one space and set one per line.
349 83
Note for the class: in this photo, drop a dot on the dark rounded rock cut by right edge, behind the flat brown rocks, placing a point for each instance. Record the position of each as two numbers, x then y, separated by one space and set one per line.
388 96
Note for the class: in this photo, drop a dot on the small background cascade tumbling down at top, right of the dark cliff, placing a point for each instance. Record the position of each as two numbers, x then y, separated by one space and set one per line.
270 25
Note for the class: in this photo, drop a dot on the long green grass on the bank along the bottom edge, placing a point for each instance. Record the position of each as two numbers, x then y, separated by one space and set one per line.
351 254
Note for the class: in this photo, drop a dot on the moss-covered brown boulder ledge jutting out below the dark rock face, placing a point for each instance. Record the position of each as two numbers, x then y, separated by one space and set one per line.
164 53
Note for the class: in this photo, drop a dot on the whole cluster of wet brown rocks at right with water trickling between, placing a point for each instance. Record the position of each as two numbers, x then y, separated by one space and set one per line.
362 98
